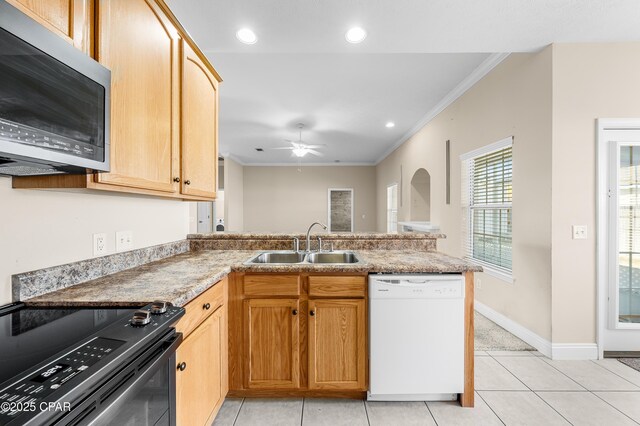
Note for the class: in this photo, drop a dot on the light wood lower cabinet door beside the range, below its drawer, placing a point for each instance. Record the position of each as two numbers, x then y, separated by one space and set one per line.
199 386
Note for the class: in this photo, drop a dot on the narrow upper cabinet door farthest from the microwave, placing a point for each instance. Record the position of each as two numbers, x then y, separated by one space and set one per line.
199 142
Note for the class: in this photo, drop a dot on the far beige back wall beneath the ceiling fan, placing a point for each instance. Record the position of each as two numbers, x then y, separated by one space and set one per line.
283 199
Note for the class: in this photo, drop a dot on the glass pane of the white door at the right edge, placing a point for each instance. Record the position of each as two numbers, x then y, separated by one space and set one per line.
628 234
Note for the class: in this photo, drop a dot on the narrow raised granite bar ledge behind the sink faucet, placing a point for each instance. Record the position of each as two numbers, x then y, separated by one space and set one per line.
327 236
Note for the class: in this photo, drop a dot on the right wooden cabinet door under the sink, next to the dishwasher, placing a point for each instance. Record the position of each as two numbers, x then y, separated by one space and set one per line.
337 344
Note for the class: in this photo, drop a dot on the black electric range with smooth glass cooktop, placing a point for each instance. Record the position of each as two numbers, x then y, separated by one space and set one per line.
88 365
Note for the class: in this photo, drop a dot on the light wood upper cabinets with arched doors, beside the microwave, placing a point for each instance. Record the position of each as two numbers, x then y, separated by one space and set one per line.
164 106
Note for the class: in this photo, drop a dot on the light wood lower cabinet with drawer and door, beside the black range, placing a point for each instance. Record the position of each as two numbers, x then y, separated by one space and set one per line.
201 359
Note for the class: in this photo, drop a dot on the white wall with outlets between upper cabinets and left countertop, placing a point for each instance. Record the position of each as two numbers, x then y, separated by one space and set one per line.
39 229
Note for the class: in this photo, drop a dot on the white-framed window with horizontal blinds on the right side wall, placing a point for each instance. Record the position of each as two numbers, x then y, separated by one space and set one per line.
487 206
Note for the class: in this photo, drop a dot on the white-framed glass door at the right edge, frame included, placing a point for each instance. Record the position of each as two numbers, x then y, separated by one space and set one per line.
618 243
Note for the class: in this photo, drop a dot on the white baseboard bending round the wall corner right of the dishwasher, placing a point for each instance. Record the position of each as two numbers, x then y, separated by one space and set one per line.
554 351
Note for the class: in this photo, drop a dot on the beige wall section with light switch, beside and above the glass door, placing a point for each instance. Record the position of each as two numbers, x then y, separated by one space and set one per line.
590 81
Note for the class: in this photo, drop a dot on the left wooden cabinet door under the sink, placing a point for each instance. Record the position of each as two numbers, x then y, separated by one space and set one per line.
272 353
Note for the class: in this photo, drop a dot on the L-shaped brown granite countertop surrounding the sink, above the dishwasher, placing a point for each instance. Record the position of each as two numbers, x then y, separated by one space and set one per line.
179 279
